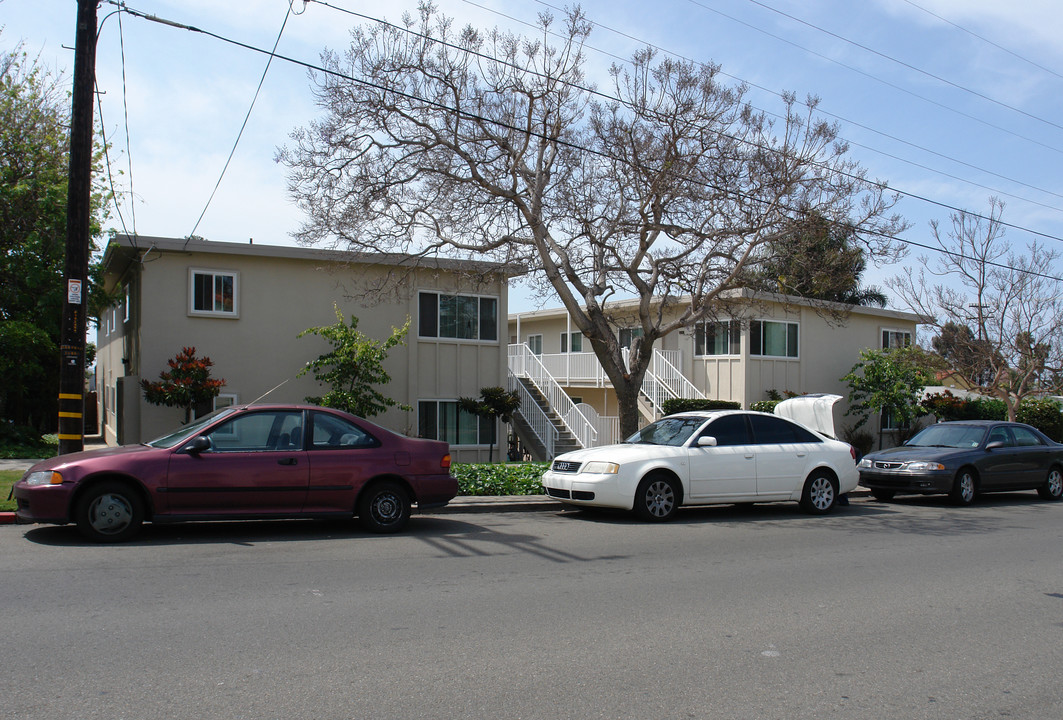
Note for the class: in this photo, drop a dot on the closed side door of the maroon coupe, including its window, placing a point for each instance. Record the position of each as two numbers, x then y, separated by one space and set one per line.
257 465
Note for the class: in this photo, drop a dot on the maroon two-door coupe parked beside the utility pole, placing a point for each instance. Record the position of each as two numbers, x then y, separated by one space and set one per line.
252 462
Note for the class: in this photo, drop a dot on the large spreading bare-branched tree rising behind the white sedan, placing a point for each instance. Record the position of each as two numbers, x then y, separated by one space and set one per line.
495 146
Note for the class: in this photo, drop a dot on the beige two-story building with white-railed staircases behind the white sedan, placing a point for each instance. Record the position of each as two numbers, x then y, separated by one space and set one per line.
775 343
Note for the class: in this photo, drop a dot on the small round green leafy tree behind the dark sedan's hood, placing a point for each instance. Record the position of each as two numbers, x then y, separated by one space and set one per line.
889 382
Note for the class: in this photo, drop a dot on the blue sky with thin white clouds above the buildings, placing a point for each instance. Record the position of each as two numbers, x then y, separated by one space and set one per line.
950 102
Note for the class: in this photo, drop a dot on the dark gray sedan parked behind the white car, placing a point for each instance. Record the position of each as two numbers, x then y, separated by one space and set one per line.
965 459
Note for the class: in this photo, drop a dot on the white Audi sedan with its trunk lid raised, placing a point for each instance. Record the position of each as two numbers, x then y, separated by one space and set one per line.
712 458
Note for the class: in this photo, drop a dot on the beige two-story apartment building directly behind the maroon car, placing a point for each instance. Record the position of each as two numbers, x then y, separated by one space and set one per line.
244 306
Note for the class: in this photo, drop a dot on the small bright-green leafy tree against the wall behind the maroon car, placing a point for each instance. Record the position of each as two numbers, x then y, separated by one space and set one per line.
353 367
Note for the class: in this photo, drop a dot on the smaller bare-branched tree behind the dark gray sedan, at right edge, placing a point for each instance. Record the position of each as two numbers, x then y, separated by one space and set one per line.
999 315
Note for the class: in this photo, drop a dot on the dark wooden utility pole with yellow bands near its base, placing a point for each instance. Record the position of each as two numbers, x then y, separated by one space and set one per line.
75 324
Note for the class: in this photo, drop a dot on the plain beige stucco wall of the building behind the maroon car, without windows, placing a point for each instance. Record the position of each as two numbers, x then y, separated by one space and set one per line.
259 349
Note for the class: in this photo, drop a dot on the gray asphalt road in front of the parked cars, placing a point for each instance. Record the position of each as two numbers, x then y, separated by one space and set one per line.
913 610
